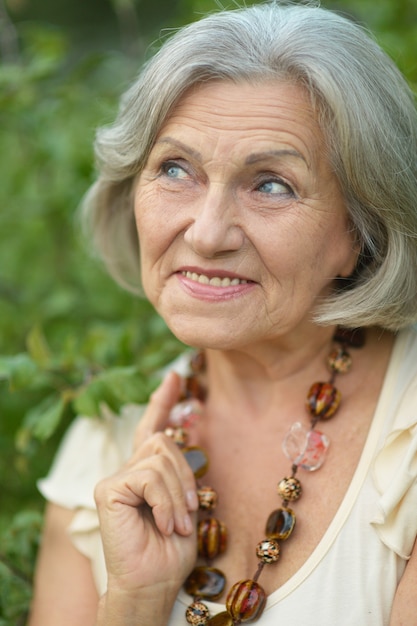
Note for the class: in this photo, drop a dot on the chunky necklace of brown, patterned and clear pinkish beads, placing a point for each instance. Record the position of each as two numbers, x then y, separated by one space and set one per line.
304 446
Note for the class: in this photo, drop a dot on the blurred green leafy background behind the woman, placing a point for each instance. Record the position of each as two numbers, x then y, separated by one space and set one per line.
69 337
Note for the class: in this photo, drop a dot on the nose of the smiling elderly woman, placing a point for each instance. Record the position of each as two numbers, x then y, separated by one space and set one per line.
215 229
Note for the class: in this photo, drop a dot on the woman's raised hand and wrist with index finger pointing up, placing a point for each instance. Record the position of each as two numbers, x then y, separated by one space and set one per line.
146 514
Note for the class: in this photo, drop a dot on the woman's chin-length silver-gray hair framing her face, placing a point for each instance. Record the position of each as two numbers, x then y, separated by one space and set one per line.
365 109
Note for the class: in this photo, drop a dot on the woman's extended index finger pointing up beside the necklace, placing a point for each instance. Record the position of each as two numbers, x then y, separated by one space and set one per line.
160 404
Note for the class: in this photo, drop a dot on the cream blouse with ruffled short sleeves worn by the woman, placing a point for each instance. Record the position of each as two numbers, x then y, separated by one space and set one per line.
352 575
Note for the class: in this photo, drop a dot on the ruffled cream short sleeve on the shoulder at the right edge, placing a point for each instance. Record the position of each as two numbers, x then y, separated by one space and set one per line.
395 477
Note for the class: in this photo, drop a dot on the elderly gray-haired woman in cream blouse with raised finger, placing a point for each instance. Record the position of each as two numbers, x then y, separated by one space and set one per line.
263 169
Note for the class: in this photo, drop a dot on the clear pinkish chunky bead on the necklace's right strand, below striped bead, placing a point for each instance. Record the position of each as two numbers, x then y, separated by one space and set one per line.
305 447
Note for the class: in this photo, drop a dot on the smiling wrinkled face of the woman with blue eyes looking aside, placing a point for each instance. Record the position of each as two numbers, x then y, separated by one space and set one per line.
241 221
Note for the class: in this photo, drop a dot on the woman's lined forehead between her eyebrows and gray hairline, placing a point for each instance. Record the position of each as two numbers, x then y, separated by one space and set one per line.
266 112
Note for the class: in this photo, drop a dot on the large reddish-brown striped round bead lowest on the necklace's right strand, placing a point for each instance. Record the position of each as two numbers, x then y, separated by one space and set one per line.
246 601
